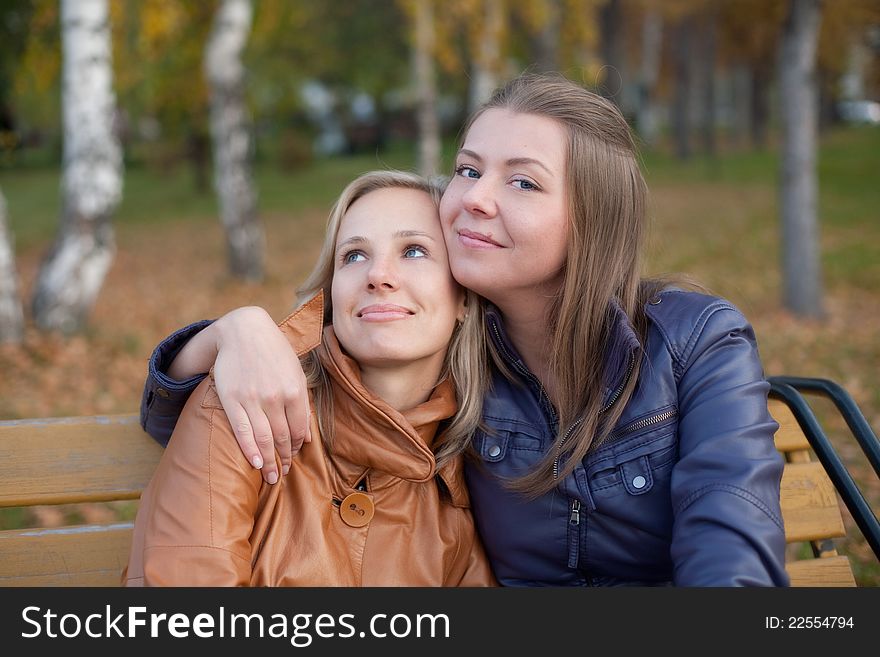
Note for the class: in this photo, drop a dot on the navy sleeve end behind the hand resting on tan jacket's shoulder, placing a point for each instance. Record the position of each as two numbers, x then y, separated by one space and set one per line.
164 398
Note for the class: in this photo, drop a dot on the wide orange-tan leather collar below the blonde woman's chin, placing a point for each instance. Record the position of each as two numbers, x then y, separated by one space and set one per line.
369 434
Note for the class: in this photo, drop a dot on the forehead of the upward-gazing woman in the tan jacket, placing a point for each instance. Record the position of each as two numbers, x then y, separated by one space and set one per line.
390 209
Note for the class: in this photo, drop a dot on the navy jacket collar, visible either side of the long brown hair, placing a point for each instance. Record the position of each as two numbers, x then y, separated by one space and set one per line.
623 346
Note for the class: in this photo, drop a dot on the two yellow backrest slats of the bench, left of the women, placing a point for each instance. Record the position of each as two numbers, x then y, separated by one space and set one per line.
71 461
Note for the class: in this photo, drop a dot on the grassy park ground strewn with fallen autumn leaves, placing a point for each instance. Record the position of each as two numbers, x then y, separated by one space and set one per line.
715 220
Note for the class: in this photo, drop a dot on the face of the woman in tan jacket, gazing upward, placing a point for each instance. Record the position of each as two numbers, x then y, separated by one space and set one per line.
394 298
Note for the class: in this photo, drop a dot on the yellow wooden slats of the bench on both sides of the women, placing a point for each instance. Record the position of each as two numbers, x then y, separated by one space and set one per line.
99 459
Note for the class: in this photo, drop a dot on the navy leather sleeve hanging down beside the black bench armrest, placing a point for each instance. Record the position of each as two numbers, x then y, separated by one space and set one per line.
728 528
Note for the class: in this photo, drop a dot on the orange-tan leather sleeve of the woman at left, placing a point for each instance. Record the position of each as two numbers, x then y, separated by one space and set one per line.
196 517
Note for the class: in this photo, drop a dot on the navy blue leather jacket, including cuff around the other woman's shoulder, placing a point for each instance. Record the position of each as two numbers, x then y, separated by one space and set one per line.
685 491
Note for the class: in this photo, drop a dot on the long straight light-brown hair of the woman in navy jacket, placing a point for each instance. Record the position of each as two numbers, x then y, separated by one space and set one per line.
606 229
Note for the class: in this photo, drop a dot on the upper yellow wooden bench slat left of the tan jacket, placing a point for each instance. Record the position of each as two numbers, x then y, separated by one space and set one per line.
75 460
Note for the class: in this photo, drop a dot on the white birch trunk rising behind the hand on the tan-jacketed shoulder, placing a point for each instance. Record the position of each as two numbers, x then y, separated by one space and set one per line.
232 139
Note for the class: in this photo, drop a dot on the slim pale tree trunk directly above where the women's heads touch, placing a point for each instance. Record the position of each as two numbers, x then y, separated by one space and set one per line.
426 90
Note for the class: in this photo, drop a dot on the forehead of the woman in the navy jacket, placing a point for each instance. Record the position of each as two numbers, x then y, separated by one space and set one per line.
506 134
